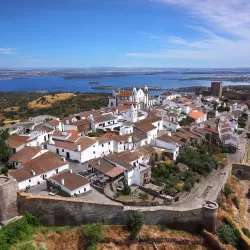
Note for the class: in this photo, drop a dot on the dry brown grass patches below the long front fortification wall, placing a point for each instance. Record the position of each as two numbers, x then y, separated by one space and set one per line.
114 238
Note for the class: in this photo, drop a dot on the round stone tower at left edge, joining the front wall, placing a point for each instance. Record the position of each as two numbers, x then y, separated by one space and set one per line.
8 198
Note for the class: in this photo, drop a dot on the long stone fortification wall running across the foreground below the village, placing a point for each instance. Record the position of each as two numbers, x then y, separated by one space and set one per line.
72 211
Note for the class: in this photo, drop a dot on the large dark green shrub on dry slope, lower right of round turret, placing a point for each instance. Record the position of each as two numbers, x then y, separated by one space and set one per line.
228 234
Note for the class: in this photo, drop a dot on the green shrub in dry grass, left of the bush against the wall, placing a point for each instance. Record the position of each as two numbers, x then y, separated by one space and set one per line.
93 233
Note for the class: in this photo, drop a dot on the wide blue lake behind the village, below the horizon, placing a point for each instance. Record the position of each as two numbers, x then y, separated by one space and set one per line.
55 83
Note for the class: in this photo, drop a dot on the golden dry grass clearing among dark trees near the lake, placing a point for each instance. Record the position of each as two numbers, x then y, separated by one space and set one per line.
48 100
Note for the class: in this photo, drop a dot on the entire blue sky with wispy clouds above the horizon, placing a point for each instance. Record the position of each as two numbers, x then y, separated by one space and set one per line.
125 33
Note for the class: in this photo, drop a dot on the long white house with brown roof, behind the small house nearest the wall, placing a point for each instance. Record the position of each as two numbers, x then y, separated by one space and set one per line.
39 169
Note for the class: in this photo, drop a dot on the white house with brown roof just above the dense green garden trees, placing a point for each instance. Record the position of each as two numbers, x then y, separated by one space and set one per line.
169 144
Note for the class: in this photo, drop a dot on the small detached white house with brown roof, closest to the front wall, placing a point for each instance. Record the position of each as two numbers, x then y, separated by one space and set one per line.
71 183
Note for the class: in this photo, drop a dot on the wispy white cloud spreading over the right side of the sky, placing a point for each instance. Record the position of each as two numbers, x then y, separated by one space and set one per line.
229 18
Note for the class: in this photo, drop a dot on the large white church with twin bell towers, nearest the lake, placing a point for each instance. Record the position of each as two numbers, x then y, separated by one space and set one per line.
139 98
